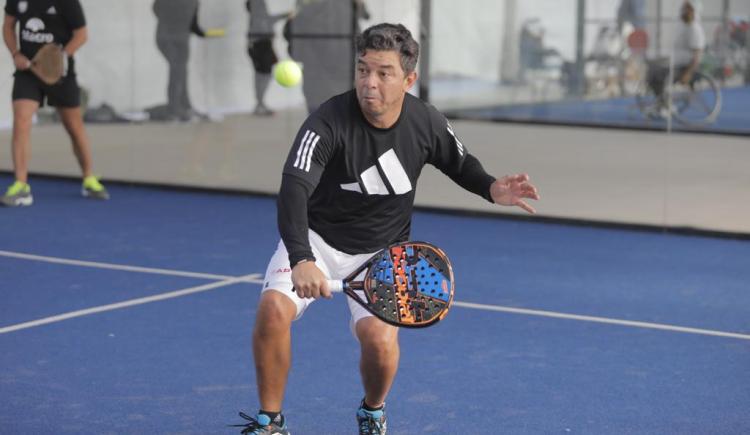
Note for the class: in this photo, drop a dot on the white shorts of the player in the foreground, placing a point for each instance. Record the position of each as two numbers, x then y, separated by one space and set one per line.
333 263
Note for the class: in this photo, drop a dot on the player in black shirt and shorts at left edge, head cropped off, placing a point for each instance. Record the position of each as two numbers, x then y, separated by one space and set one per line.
41 22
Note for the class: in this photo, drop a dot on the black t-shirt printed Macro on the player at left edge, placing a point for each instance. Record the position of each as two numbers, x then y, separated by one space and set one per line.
45 21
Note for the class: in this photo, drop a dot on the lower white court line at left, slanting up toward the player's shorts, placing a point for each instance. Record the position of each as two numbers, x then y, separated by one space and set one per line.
252 278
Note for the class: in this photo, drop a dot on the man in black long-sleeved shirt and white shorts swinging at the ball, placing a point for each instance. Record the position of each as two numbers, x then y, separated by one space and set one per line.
347 191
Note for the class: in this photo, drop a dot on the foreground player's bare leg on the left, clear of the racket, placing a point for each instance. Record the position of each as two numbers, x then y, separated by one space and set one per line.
272 348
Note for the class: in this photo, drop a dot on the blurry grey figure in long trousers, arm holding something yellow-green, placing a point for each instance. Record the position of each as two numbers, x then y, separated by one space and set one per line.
176 20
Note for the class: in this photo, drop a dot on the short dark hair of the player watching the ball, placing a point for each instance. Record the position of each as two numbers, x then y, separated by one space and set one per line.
391 37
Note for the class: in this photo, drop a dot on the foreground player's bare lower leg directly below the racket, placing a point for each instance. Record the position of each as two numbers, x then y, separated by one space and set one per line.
379 358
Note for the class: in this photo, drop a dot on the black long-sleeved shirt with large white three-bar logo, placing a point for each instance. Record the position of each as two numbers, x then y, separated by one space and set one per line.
363 179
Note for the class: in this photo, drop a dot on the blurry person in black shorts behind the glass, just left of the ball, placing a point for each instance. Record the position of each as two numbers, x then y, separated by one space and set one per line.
260 49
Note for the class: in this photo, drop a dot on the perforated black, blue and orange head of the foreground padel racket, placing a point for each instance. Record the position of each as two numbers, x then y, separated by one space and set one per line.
410 284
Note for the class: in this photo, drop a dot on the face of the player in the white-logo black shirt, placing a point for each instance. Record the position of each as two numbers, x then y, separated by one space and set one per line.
381 83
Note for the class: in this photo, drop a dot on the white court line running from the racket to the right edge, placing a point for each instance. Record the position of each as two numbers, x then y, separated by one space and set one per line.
602 320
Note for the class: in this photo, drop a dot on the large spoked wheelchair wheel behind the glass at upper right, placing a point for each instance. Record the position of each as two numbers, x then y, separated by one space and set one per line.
697 103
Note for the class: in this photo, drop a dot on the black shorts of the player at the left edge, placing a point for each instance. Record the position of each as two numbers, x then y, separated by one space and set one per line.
65 93
